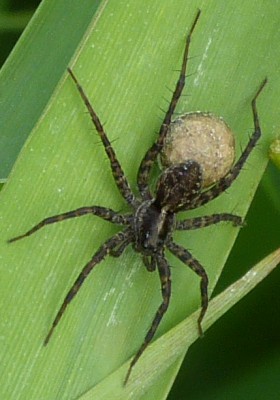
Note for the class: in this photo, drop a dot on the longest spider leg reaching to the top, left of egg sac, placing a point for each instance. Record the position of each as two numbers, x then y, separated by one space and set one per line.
150 157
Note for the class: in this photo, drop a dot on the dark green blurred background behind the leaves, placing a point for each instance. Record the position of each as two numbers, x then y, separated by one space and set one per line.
239 358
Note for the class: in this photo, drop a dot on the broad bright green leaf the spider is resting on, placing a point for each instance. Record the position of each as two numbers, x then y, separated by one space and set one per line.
129 57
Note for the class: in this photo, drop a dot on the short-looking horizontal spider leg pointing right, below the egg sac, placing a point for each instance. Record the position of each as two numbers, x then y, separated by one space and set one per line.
202 222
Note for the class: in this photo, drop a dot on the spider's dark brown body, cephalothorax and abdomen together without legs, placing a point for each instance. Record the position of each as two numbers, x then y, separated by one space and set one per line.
154 219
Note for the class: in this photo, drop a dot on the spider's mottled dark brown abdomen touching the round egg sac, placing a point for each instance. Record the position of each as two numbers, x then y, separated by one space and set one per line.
178 185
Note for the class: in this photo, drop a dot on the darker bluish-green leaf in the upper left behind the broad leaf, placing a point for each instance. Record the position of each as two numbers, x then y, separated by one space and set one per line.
31 73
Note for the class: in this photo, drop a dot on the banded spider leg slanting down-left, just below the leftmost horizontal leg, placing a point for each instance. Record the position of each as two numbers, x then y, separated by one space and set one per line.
101 253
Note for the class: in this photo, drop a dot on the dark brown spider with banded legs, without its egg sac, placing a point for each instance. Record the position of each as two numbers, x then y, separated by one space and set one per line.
150 225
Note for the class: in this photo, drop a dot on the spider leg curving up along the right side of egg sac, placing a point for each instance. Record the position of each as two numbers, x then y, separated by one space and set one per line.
225 183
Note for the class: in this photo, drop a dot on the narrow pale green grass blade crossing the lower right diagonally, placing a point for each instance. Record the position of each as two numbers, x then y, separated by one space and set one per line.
172 345
